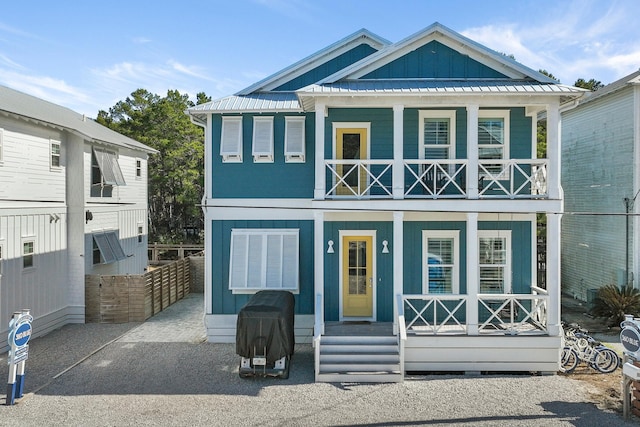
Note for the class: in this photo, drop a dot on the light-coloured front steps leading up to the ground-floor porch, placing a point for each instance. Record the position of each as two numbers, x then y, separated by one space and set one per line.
359 359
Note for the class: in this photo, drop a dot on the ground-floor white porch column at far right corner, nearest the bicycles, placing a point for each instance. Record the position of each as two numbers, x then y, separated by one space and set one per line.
553 273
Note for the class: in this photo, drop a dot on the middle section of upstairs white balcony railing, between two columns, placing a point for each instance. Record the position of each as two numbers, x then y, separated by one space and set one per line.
435 178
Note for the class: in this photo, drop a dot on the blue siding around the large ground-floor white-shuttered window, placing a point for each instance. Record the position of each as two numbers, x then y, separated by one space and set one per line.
222 299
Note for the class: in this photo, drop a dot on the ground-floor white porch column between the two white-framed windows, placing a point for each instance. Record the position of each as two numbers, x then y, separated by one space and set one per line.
473 274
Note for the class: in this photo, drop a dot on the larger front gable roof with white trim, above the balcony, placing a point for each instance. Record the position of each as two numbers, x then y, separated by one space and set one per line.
449 38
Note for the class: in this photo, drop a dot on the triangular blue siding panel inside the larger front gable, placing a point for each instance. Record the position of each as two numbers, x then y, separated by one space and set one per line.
434 60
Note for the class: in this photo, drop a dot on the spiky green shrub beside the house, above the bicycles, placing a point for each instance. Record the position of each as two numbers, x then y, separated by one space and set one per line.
613 302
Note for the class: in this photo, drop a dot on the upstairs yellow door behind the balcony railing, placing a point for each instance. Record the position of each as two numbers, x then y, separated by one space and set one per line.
351 144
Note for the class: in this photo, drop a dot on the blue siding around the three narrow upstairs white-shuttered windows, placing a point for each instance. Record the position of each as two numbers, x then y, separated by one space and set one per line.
263 180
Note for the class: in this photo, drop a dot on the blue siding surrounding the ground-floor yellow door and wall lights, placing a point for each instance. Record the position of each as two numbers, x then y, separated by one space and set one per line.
384 268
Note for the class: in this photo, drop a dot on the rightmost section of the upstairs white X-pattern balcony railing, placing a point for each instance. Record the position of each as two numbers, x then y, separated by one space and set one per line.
513 178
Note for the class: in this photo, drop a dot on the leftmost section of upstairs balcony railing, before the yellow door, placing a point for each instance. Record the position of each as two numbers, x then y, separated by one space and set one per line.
359 178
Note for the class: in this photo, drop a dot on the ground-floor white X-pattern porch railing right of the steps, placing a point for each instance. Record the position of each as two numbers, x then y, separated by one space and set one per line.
446 314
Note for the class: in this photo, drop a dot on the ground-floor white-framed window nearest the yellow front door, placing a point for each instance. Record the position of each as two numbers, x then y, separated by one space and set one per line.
440 253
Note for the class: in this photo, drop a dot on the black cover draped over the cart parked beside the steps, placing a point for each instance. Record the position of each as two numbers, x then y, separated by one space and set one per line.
266 319
